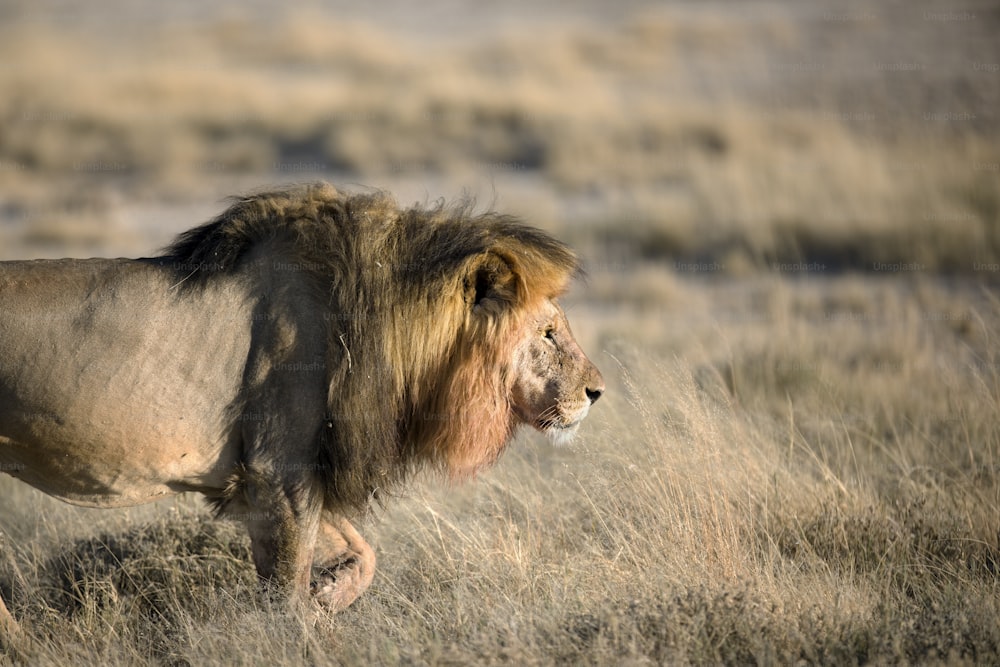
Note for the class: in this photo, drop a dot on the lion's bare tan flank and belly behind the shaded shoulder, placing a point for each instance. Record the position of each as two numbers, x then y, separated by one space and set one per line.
121 399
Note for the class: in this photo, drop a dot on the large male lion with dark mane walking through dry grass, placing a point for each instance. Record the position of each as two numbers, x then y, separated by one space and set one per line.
294 360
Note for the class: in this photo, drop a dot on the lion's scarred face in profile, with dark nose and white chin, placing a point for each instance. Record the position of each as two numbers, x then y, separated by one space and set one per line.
554 381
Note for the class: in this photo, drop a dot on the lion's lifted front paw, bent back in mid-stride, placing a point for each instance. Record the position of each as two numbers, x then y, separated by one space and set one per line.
344 565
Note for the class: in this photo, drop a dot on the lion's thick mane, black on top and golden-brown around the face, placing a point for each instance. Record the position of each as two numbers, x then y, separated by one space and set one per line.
424 306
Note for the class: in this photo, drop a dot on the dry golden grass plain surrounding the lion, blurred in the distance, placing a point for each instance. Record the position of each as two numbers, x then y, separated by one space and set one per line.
790 218
